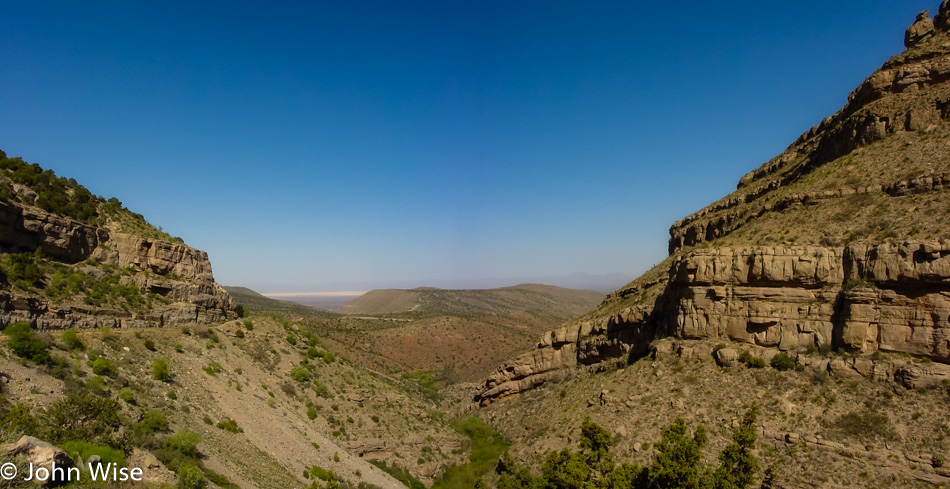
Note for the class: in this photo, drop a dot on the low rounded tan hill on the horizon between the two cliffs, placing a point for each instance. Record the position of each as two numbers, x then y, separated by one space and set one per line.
543 300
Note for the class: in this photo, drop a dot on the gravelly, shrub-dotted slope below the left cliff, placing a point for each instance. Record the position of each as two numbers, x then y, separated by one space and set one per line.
265 396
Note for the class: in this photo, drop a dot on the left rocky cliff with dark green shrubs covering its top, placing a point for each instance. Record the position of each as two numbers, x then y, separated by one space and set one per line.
69 243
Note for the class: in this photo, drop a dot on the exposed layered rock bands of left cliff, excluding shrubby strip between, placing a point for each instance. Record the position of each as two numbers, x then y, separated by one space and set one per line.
177 273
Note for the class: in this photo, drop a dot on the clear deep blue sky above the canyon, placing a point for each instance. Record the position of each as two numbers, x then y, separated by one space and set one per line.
310 145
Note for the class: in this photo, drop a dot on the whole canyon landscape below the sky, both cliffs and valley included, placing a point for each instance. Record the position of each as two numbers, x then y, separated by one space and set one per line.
796 336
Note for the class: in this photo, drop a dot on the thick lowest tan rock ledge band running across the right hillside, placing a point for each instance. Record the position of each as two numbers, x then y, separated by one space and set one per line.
893 297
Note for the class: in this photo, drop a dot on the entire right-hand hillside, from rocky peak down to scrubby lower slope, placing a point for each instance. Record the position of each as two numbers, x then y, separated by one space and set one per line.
833 257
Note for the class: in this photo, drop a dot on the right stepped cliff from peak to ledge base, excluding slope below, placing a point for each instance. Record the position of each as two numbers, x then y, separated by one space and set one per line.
841 240
